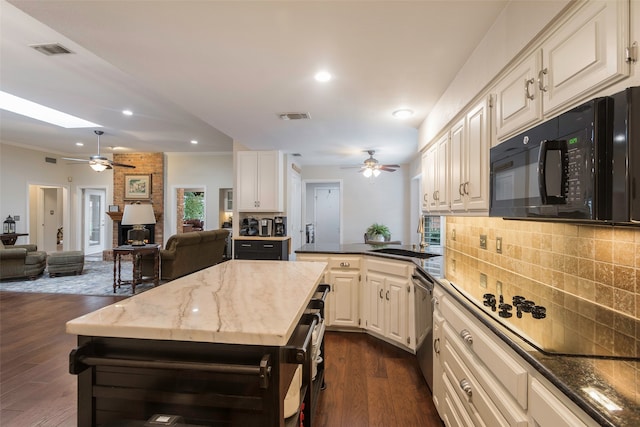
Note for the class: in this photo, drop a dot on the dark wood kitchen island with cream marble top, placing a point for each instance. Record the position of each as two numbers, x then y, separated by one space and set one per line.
217 347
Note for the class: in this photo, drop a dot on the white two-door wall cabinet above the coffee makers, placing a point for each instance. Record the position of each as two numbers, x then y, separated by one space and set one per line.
259 181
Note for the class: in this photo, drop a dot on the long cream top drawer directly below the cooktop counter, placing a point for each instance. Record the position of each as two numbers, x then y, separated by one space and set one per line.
500 363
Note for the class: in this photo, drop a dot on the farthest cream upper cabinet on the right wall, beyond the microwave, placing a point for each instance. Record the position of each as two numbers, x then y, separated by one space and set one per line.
435 164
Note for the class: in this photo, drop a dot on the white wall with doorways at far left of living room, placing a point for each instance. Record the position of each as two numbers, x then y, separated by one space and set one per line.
21 167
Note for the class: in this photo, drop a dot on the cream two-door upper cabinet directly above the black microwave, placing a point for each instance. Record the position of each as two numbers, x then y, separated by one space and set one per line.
585 52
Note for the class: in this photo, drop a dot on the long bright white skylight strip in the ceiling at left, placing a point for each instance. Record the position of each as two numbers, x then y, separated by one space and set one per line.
36 111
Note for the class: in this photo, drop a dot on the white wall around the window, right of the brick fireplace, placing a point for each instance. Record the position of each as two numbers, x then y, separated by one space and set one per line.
211 171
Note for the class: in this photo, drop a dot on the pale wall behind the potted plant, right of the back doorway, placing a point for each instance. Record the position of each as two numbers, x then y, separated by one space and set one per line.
384 200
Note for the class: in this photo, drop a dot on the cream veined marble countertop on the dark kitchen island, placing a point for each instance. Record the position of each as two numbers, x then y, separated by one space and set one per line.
235 302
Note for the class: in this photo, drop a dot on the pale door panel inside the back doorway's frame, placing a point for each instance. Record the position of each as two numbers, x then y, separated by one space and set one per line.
327 215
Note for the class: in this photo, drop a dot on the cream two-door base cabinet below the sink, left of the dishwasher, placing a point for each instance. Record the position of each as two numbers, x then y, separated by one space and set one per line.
388 300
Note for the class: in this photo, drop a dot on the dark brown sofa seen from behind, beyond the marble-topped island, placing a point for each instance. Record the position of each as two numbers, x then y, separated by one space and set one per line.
188 252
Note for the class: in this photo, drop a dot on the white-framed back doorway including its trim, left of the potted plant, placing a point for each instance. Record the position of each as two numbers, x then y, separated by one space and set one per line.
324 210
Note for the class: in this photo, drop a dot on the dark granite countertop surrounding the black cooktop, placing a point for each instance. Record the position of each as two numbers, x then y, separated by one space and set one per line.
571 374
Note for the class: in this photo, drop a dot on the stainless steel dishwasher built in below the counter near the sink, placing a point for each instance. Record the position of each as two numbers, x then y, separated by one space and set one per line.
424 323
